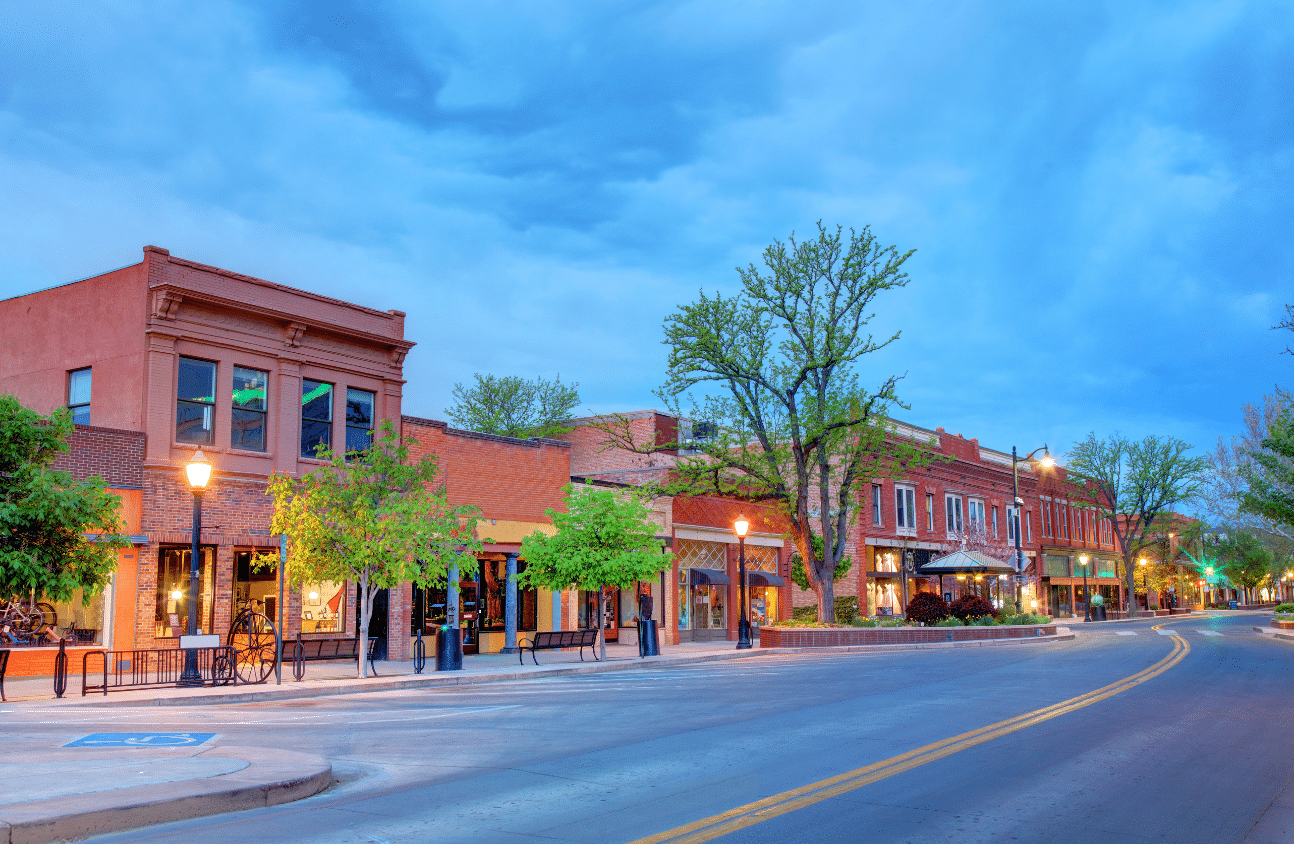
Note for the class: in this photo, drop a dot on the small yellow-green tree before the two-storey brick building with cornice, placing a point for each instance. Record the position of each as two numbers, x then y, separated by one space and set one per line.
375 519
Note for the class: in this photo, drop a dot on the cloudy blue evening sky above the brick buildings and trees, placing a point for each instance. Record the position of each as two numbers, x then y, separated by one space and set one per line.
1099 195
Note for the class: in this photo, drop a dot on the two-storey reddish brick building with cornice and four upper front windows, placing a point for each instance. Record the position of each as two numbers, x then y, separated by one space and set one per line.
169 356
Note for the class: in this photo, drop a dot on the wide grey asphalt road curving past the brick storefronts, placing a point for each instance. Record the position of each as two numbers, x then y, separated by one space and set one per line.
1192 748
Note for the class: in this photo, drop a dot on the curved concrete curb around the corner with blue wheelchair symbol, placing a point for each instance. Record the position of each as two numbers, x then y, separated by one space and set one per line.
274 777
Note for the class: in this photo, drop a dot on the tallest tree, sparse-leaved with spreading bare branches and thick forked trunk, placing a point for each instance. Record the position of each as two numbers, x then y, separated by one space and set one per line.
778 365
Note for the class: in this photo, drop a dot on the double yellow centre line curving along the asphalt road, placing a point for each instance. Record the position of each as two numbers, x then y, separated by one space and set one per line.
776 807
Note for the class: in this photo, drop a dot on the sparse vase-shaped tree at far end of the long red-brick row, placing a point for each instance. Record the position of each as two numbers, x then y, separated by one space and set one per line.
1133 484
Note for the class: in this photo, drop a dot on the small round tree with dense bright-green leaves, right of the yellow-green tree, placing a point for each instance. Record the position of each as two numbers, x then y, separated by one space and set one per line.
604 539
